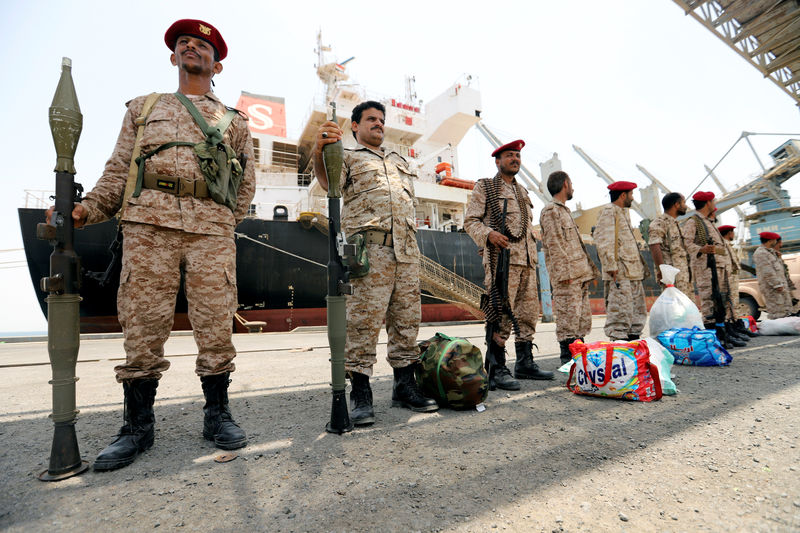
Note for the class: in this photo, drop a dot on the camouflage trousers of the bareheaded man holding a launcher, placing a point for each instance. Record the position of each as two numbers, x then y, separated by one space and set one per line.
390 289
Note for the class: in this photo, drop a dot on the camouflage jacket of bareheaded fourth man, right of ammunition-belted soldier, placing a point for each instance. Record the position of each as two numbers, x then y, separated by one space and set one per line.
564 252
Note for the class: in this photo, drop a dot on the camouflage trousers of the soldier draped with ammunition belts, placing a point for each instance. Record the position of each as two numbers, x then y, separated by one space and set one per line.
523 297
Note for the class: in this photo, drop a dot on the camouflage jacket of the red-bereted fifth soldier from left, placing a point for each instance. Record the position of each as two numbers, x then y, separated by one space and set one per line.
616 245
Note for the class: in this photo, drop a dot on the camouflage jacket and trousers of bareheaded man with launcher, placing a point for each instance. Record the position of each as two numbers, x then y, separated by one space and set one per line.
378 195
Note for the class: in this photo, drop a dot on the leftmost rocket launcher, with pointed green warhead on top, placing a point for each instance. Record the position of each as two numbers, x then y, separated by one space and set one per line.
63 300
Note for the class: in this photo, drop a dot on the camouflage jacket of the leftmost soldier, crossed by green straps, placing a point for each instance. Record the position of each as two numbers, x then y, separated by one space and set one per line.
170 121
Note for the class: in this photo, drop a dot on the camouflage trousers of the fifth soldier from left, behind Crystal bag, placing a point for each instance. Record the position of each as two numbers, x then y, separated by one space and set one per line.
626 311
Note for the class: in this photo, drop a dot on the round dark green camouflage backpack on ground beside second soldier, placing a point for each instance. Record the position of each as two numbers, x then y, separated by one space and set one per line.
451 372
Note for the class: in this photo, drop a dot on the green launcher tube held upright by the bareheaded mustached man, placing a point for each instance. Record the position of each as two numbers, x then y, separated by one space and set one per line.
338 286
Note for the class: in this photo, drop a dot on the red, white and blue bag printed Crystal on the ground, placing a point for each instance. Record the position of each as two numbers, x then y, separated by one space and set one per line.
614 370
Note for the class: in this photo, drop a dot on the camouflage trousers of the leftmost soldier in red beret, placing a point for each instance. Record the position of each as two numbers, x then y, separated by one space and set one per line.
152 261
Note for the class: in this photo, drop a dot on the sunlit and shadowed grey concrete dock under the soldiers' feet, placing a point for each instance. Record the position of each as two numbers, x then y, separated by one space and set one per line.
721 455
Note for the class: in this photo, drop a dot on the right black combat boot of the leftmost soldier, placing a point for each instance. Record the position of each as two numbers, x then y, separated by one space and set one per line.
218 424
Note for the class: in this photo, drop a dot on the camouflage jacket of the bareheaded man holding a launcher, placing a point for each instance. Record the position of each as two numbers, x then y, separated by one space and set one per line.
378 194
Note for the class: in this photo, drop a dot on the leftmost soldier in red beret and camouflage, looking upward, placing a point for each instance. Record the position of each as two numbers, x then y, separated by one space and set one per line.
172 226
